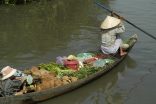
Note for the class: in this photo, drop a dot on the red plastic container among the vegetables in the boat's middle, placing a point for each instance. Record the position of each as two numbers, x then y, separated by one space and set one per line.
71 64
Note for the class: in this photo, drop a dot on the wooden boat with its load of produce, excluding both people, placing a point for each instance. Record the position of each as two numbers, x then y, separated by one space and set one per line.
53 79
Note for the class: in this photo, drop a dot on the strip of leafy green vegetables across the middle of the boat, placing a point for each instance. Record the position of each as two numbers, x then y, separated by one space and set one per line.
60 70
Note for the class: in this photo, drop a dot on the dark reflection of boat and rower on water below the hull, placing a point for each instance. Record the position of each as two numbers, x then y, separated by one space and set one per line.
97 92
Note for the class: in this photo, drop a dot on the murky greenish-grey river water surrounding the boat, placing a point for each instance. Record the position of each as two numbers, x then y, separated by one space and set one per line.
39 32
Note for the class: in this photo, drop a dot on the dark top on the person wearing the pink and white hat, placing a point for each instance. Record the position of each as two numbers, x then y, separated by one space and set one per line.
9 85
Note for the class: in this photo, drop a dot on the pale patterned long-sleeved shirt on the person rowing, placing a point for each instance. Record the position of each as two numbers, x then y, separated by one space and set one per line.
109 36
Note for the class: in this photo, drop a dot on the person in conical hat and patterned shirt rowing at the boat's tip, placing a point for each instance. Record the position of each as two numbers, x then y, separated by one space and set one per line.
111 41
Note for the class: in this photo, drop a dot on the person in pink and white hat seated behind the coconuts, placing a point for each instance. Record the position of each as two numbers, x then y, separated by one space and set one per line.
11 83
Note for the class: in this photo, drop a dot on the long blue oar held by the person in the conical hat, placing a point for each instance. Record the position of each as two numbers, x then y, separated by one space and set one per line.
124 19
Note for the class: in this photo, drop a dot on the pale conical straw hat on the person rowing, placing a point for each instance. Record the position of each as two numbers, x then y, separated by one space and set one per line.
110 22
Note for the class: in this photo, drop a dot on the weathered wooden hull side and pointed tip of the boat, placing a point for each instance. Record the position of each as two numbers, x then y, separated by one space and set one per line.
31 98
